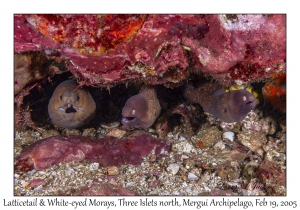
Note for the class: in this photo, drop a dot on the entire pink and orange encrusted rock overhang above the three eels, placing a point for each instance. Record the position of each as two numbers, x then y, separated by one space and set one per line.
159 49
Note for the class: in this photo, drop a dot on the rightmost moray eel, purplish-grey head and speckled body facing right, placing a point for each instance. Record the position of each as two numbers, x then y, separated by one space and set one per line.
231 106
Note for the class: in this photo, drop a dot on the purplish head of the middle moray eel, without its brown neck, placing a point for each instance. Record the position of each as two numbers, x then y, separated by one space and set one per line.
134 111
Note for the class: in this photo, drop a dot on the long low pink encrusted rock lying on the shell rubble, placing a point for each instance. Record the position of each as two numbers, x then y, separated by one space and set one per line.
107 151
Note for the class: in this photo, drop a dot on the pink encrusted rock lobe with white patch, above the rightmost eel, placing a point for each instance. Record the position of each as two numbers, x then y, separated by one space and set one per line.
241 47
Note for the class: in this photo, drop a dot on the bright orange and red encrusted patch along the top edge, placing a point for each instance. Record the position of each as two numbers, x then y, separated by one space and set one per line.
88 34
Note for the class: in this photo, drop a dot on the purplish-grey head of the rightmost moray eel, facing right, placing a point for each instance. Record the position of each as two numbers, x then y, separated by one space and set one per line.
241 103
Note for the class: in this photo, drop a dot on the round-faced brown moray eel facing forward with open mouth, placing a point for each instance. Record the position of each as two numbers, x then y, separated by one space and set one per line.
70 107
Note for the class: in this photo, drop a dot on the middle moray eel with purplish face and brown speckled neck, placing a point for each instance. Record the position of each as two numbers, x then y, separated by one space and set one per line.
141 110
